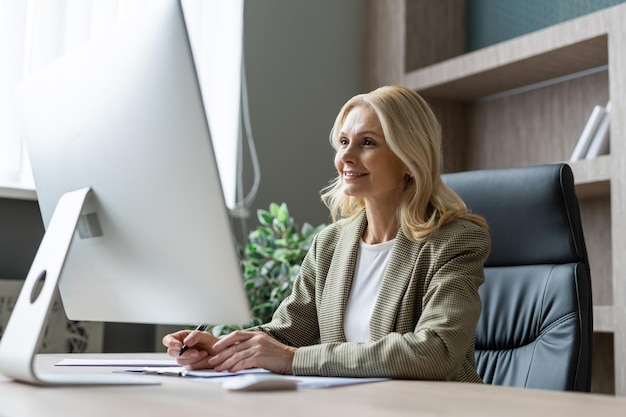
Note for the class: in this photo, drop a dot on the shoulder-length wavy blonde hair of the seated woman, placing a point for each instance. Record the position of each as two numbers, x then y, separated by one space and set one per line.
413 133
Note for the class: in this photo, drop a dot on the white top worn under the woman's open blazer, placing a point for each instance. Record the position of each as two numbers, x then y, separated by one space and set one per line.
368 275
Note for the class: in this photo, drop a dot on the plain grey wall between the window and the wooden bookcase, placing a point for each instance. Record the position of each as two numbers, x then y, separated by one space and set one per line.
304 60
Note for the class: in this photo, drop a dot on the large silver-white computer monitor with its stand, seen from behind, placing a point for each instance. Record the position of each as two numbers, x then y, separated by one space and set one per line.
119 144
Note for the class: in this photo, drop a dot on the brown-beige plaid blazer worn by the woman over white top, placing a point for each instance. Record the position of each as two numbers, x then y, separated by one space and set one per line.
424 319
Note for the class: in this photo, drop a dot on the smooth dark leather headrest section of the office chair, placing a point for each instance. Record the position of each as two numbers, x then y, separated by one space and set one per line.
532 212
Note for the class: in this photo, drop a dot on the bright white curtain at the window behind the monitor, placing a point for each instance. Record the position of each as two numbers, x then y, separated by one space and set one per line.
35 32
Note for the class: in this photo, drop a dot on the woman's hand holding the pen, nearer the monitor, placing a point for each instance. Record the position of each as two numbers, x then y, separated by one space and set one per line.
199 350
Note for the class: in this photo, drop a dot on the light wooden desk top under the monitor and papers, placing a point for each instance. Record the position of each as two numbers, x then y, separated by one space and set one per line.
191 397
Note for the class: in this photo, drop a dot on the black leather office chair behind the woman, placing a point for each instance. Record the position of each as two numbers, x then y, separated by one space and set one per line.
536 325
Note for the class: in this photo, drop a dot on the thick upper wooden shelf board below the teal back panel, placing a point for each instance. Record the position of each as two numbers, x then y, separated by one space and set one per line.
566 49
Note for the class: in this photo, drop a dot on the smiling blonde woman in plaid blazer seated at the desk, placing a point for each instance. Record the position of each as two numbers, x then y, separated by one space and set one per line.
389 289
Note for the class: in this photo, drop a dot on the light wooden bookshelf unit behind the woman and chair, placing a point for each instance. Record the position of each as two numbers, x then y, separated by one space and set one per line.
522 102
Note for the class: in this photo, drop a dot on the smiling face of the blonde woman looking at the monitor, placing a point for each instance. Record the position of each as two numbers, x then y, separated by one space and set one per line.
366 165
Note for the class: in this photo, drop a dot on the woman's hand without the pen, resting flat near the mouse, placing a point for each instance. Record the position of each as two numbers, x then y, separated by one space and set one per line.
245 349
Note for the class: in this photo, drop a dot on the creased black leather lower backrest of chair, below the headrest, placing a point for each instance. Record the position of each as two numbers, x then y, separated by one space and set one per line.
534 330
